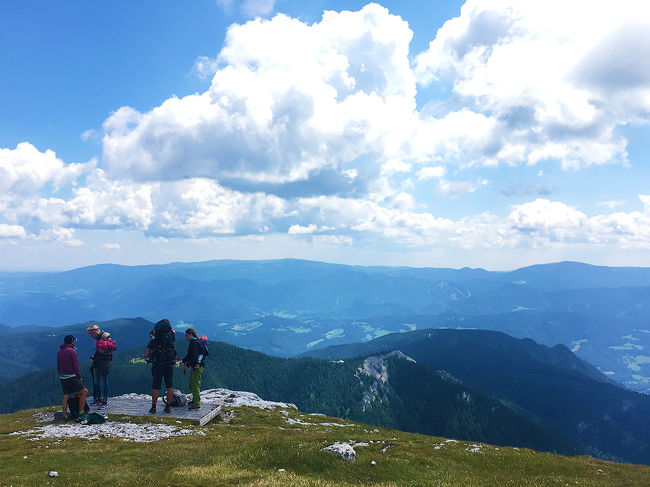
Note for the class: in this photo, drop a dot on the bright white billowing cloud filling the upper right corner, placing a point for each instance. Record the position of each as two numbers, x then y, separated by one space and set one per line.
558 77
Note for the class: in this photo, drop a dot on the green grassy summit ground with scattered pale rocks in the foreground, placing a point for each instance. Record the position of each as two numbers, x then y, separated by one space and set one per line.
272 448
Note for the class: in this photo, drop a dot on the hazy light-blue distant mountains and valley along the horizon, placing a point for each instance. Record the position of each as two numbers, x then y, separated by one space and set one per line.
288 307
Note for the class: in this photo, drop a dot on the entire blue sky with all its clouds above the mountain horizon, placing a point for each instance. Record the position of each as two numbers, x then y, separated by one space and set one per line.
491 134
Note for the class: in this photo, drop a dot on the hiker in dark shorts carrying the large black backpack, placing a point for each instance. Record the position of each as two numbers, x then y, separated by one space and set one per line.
161 354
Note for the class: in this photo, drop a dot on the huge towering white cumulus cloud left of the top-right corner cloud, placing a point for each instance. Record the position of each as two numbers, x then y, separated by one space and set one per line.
293 109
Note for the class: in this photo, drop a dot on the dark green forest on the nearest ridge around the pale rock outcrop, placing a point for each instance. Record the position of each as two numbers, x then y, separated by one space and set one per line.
418 399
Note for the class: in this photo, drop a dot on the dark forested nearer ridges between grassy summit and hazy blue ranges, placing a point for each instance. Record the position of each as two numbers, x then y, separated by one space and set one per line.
473 385
